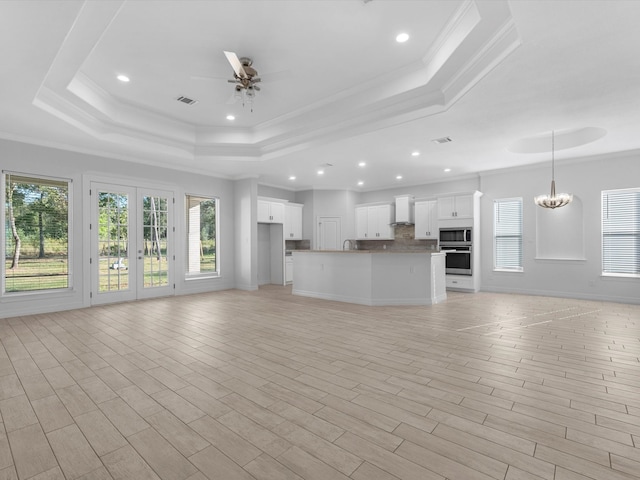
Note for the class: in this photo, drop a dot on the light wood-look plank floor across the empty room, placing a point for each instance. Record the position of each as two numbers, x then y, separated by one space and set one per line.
265 385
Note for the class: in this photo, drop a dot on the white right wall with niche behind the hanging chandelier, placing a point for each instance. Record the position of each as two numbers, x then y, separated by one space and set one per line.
580 276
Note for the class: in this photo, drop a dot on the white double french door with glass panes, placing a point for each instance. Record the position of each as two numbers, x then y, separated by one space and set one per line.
131 243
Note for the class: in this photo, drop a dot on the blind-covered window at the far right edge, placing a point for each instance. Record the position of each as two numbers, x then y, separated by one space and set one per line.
621 232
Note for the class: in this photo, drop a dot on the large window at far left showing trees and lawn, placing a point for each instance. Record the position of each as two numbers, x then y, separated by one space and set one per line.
36 226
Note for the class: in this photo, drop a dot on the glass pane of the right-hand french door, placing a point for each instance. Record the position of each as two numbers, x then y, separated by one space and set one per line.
155 234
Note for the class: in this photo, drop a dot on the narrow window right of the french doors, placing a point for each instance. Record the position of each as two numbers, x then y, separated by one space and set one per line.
202 236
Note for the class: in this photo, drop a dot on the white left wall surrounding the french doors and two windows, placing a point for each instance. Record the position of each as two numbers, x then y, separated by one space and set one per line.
37 160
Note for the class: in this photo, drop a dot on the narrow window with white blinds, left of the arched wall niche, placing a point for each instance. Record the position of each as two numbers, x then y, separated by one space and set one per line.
507 234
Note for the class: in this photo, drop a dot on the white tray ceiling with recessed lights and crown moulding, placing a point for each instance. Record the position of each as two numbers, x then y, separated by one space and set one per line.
336 86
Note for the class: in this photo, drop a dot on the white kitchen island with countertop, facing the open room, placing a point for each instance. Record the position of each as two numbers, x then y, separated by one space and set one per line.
371 277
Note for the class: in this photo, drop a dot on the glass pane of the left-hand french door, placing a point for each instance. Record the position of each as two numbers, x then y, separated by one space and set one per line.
113 241
